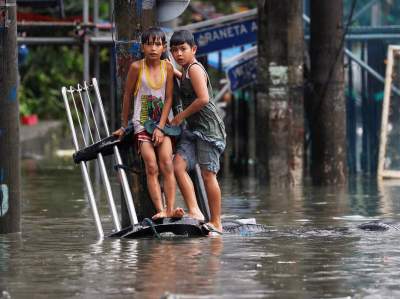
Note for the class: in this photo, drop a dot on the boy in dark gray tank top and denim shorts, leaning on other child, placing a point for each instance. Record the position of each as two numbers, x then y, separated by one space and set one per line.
203 141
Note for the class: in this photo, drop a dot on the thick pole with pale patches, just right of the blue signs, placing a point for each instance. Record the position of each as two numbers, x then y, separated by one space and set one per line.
280 111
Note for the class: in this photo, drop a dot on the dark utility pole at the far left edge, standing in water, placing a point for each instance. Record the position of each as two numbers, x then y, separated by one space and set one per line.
10 213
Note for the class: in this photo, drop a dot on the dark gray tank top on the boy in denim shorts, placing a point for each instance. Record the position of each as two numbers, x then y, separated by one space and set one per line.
207 121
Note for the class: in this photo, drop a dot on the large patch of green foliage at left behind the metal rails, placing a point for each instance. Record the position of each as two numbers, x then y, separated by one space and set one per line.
46 71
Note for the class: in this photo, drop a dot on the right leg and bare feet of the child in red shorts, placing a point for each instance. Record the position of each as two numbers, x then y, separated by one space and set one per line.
164 152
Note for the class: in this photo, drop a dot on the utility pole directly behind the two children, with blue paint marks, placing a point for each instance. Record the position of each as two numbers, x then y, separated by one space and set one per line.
131 18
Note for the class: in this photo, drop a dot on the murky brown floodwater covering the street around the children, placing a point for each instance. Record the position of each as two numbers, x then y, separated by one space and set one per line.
312 249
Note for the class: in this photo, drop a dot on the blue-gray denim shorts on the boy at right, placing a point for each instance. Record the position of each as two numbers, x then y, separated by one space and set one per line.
194 150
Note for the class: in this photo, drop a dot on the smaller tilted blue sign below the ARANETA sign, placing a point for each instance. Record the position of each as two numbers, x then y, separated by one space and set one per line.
243 73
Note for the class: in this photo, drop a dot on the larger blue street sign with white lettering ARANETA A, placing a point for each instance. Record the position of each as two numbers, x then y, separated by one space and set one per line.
226 36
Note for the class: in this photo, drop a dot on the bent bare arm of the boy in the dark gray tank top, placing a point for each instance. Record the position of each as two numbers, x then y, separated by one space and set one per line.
199 83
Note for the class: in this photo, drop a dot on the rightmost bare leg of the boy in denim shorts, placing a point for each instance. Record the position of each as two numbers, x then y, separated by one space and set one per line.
214 197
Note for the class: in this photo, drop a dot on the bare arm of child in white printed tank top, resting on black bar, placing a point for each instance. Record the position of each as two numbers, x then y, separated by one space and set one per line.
130 84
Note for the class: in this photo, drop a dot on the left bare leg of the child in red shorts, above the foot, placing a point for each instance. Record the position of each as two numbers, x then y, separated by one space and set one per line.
153 185
